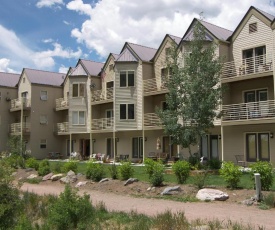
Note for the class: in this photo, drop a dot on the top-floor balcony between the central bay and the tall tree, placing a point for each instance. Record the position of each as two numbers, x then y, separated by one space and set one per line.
154 86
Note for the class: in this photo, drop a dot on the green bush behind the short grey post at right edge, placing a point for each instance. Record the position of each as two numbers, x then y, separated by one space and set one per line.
265 170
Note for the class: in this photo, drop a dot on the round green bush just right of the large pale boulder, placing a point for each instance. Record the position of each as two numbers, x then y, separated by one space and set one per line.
231 174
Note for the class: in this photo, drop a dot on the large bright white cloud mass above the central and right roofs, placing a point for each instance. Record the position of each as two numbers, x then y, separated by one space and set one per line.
113 22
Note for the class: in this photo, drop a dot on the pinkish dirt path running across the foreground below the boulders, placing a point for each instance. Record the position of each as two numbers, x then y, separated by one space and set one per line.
214 210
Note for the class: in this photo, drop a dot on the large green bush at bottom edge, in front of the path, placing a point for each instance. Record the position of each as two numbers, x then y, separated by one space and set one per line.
70 211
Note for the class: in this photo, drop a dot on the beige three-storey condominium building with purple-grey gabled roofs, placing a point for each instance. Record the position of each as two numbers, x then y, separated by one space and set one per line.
110 107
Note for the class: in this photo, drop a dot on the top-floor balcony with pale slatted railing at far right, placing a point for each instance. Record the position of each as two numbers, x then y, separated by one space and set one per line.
247 68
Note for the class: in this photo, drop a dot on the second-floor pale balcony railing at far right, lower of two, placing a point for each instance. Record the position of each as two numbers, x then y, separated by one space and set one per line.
251 110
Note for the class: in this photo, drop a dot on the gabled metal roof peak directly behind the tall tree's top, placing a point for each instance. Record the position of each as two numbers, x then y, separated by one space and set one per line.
212 30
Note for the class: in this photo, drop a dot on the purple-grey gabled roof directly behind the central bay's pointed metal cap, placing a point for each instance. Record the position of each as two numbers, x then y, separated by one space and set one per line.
144 53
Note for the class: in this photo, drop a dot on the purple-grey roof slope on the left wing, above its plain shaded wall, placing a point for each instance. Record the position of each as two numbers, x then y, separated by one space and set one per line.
44 77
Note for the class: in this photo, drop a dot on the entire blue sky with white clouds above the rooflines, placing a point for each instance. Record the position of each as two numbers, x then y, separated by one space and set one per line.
53 34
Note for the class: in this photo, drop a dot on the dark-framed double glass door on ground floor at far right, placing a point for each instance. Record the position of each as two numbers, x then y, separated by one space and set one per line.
257 146
